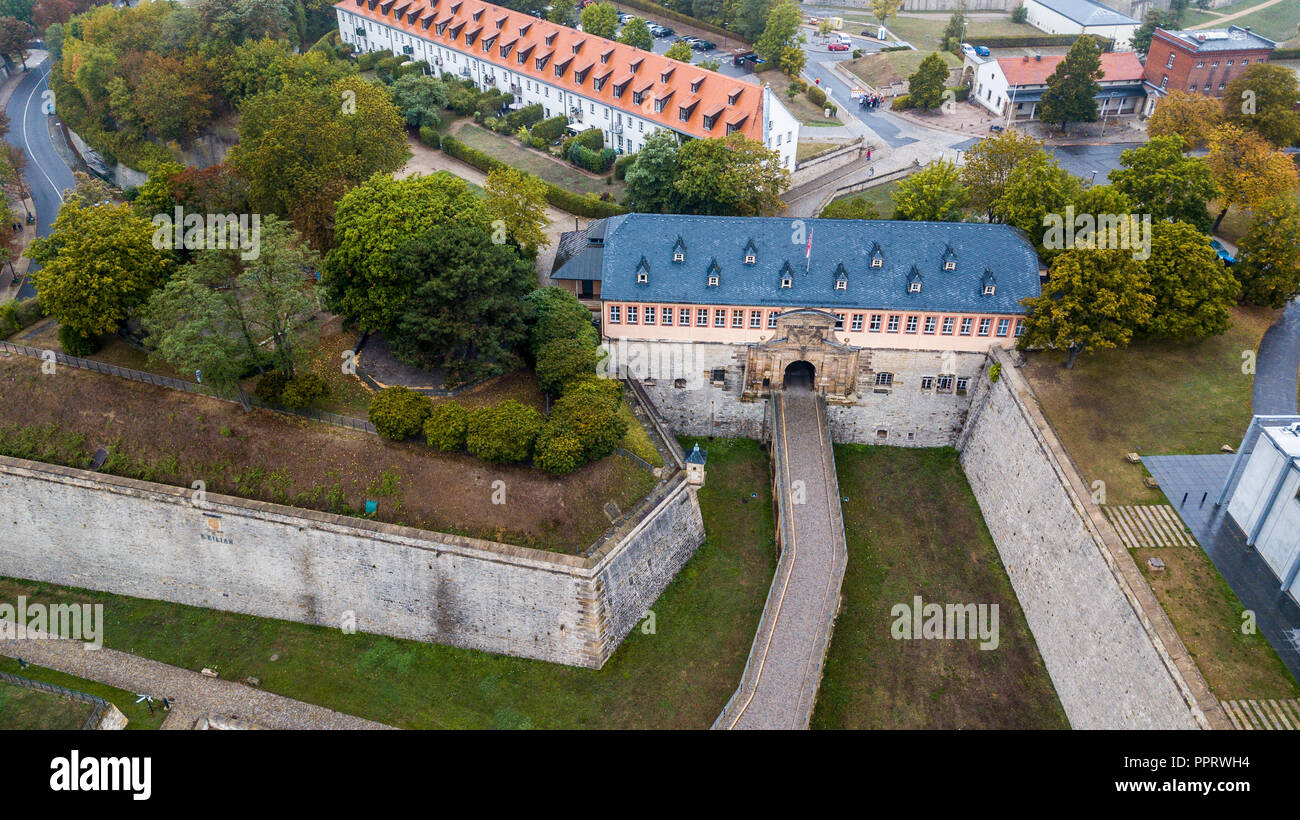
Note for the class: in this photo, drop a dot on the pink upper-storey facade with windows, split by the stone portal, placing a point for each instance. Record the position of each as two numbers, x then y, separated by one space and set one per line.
746 326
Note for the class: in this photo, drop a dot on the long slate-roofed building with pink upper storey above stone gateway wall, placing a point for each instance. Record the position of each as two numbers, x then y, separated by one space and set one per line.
727 280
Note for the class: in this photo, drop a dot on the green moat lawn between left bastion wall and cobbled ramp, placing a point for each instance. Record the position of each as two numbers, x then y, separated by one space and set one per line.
678 678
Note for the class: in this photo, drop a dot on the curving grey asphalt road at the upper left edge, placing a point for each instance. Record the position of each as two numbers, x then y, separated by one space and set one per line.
47 176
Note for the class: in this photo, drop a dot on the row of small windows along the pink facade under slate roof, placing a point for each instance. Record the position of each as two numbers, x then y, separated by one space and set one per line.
874 323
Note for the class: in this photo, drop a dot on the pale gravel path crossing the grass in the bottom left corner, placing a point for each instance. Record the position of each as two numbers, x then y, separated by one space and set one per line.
194 695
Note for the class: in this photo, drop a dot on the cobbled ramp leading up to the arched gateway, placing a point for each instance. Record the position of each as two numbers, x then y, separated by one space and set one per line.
785 670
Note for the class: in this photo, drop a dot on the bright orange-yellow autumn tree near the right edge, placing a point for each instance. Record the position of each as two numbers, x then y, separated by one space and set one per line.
1247 170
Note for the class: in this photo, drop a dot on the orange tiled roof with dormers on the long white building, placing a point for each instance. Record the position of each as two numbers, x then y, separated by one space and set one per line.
519 34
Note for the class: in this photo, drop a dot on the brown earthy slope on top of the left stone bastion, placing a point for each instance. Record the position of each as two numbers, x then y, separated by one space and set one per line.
176 439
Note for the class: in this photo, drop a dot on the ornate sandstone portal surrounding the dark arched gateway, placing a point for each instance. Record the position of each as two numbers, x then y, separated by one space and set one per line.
804 350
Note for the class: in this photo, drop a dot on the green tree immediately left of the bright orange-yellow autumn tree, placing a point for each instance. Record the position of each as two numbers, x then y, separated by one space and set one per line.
1167 184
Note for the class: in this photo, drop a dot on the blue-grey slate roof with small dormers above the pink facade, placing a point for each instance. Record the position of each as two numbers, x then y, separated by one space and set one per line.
908 250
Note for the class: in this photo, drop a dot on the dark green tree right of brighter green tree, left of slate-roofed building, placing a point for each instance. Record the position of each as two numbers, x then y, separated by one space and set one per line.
466 313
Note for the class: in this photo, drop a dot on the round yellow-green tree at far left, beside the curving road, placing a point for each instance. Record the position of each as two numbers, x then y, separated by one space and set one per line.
98 264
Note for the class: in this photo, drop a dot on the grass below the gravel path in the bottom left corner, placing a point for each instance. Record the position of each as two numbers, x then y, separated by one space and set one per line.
27 709
